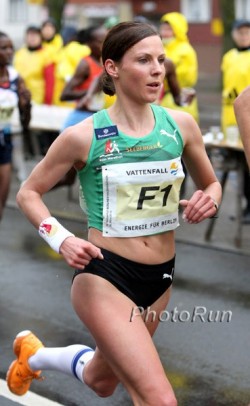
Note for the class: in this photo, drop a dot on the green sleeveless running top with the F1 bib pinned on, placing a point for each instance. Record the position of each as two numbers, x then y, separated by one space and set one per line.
130 186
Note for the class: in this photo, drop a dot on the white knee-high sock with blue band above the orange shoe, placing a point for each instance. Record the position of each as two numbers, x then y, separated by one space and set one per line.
70 360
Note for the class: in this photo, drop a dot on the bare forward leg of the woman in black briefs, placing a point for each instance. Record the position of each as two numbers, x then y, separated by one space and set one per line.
126 346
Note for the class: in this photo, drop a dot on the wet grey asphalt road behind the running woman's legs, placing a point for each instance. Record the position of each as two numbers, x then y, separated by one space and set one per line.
203 338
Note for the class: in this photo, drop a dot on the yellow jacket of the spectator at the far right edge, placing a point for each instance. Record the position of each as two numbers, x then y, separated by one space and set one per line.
235 69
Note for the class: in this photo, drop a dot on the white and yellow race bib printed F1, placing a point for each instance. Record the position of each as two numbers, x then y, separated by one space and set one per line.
141 198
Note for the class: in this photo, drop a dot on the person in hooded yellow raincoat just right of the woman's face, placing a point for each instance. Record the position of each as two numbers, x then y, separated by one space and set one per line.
173 30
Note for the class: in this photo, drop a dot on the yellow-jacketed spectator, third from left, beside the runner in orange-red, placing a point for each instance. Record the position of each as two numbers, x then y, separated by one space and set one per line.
66 61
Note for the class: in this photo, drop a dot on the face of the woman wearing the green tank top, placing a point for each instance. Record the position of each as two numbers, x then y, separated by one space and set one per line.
141 71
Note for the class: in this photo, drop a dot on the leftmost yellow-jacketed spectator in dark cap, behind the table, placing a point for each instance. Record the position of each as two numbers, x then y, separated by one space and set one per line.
32 63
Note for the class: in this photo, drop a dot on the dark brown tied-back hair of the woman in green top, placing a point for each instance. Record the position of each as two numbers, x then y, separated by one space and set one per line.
117 42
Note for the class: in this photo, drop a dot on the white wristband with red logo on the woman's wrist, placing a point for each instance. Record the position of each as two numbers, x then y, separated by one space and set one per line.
53 233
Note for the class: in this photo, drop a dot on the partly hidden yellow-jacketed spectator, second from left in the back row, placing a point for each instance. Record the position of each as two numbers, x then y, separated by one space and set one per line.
51 40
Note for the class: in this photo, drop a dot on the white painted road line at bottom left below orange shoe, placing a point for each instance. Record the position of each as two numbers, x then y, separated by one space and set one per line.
30 399
